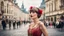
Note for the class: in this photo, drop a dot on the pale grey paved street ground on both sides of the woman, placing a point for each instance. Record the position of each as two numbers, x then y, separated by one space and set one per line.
22 31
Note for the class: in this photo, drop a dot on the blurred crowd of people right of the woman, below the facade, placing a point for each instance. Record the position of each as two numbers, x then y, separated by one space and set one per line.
57 24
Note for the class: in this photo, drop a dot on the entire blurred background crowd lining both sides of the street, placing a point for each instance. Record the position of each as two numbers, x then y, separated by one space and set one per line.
56 24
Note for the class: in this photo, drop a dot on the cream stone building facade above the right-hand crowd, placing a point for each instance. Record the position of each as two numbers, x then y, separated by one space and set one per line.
53 9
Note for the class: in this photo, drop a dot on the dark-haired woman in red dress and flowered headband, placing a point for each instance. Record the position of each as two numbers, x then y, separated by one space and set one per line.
36 27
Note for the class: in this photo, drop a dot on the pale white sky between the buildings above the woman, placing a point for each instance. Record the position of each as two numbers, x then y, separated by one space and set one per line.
28 3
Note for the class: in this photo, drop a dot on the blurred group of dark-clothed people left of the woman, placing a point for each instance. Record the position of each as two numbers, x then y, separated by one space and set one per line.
10 24
